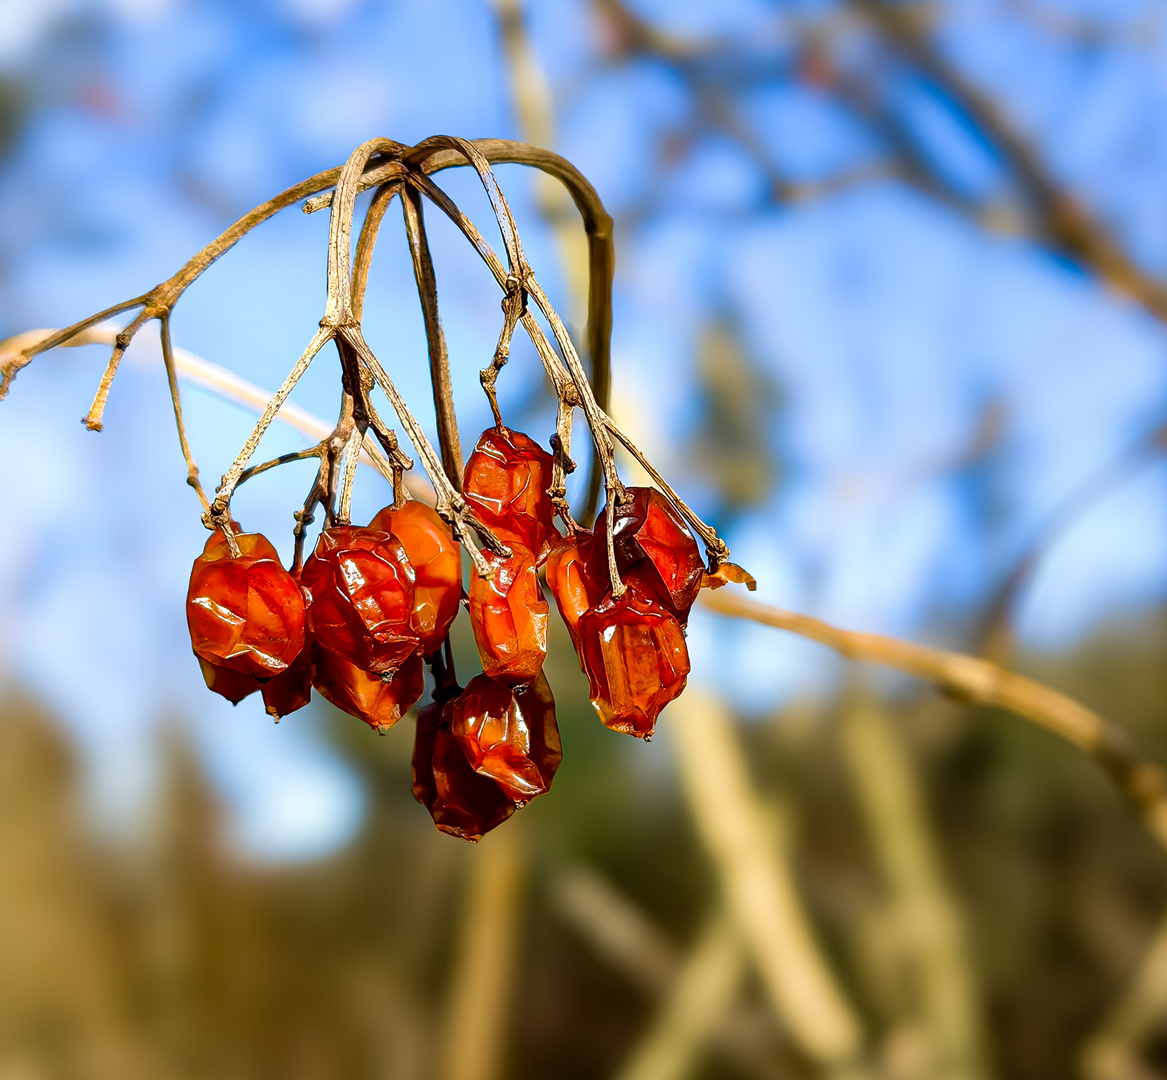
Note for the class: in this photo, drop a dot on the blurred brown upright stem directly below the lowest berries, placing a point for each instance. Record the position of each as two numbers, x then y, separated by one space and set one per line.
479 1007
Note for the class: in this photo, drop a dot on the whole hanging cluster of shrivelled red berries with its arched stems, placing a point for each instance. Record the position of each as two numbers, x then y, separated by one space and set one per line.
360 619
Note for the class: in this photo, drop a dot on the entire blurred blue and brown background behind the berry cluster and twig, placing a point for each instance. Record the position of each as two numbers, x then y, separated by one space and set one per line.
890 309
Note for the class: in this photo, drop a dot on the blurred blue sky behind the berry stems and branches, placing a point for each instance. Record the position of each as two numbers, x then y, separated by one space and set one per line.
920 377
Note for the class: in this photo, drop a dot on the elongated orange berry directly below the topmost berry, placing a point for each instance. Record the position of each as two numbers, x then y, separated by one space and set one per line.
509 618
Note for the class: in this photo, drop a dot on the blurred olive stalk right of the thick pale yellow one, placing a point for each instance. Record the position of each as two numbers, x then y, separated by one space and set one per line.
926 917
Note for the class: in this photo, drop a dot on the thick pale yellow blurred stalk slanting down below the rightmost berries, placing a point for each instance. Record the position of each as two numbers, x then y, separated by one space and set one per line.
750 849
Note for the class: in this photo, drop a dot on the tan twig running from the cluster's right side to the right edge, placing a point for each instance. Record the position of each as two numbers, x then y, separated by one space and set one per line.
984 684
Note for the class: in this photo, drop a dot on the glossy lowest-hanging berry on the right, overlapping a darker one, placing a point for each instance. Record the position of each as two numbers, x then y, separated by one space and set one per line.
509 735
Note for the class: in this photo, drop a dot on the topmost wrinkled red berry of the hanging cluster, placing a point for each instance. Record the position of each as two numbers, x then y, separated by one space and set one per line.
506 483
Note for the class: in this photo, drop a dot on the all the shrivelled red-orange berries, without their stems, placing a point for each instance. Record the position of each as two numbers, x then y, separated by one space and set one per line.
372 604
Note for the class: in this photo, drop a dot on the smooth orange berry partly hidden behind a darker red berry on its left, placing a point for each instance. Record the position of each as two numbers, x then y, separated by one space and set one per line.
437 561
